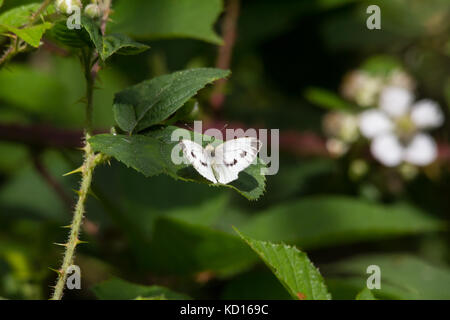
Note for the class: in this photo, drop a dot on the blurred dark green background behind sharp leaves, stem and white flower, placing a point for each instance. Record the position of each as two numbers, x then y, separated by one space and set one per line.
157 231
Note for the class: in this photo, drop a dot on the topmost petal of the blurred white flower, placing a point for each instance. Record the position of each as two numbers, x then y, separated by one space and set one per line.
395 101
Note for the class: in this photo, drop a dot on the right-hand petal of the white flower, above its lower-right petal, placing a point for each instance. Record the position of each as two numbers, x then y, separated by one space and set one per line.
427 114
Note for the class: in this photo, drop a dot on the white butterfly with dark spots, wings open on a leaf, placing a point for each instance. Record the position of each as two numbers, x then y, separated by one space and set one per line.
223 163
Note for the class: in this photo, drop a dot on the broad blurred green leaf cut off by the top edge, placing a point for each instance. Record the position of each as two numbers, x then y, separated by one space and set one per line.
157 19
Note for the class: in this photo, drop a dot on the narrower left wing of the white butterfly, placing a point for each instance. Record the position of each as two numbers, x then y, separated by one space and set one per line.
197 156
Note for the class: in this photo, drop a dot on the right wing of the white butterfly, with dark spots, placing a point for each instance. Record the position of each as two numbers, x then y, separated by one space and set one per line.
233 156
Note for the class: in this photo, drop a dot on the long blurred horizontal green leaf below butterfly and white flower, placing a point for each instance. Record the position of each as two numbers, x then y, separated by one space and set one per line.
337 220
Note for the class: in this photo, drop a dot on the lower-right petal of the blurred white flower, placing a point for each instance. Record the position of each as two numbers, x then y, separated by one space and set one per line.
421 151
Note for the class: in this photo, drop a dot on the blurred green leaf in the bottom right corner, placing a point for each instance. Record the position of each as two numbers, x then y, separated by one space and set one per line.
402 276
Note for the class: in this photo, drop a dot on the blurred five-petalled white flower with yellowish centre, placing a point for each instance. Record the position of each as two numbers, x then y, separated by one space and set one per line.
395 128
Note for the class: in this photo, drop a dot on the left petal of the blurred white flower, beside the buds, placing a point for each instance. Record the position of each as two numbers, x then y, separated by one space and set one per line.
373 123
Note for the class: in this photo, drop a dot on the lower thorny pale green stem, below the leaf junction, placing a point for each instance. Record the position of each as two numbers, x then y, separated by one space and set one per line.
90 162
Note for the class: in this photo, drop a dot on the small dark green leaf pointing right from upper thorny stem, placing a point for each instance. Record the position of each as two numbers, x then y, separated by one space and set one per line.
121 44
